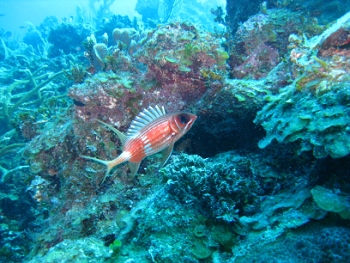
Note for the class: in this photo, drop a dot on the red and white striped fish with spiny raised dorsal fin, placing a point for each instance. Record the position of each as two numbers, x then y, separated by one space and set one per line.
152 131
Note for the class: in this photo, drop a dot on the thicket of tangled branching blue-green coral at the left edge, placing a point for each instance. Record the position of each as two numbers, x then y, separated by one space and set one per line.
26 105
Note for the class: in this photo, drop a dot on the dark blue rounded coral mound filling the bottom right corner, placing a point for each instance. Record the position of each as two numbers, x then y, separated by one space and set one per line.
317 243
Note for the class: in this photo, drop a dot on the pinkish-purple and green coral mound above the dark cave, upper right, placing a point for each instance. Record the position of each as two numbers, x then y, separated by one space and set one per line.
262 40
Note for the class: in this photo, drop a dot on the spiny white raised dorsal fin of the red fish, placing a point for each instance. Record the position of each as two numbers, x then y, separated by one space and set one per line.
145 117
